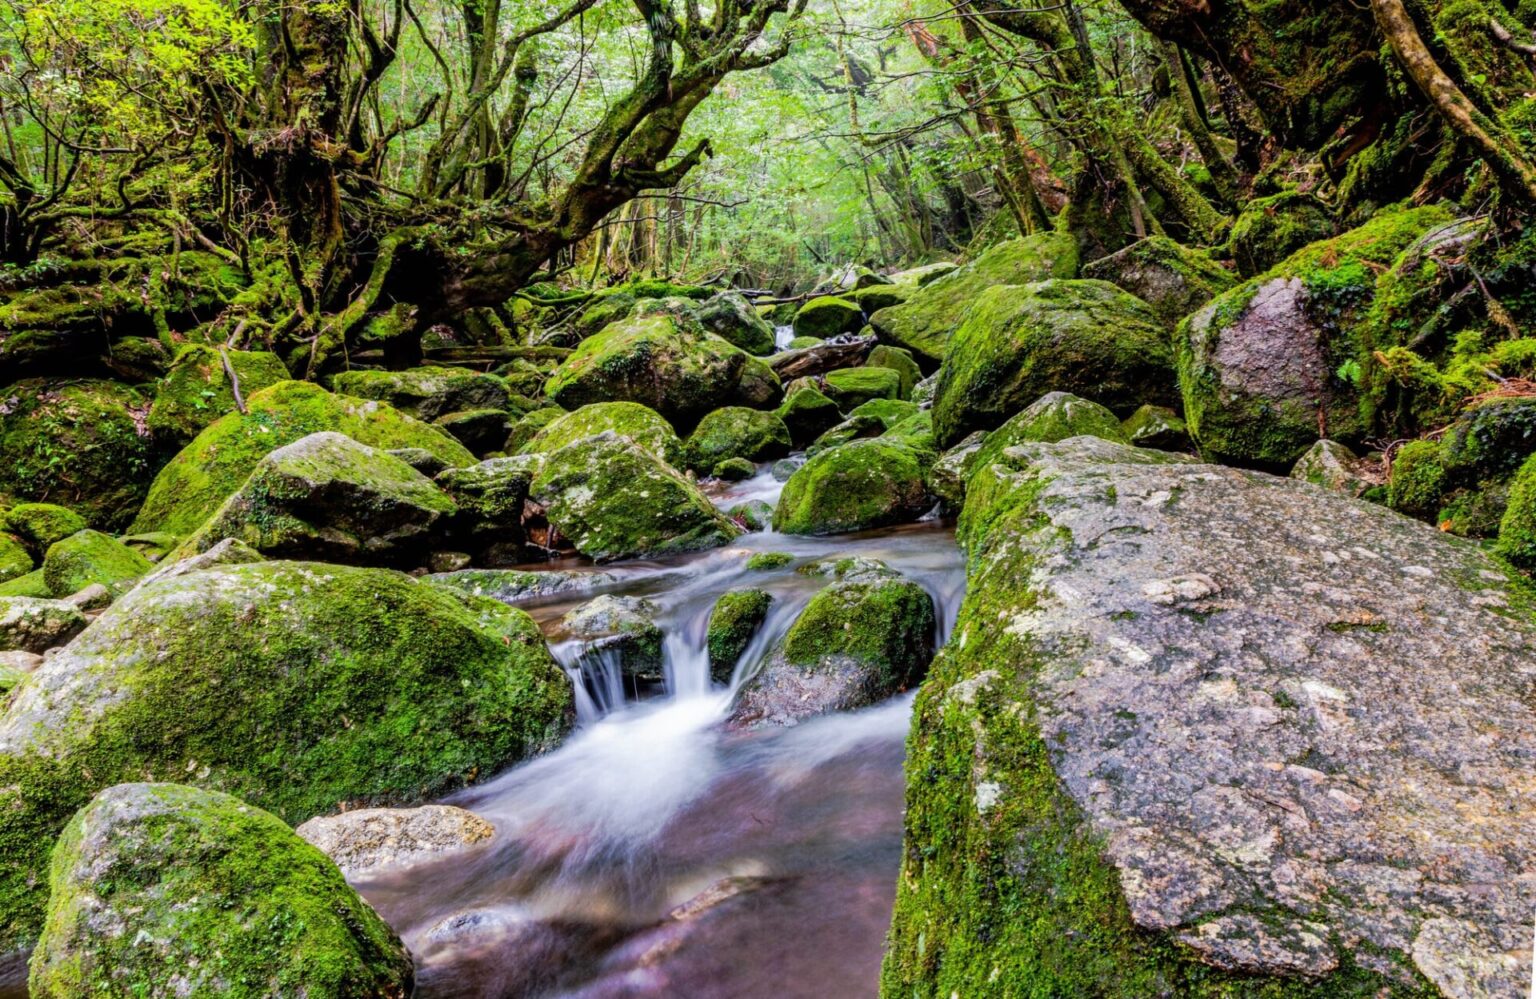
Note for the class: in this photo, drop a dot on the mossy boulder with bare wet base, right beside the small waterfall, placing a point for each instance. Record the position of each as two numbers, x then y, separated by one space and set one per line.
866 637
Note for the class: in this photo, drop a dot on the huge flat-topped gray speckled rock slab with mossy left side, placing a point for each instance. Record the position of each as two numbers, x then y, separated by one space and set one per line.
1294 731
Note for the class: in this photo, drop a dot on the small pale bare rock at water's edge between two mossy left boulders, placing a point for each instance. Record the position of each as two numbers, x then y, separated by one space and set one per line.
368 840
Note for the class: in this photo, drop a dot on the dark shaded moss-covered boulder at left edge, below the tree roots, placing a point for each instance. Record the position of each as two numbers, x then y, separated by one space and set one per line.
81 443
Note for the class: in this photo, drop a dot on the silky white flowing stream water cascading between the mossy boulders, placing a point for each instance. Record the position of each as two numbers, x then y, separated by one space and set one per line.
660 854
